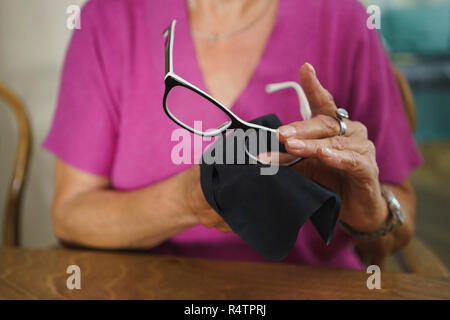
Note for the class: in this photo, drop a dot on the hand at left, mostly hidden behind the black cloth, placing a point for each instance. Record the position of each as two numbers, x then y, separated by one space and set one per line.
197 204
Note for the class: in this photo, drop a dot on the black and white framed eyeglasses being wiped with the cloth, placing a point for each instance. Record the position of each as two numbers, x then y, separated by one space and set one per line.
204 110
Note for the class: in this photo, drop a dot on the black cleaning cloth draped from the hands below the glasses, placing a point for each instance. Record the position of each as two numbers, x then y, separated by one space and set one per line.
267 211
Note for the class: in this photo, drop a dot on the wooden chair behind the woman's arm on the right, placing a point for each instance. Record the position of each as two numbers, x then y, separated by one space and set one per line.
416 257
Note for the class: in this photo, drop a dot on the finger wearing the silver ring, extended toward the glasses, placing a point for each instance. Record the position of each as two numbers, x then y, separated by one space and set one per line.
319 127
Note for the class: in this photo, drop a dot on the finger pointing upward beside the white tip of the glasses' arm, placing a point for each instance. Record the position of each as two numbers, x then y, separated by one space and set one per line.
320 100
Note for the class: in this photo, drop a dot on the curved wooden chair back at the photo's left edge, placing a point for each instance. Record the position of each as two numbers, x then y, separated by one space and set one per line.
11 231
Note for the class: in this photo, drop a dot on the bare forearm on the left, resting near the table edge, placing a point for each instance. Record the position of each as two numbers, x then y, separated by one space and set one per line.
109 219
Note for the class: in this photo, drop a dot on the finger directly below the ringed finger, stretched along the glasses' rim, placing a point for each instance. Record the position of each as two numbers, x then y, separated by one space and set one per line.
310 148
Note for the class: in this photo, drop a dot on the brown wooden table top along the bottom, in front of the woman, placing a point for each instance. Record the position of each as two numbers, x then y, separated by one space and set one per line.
41 274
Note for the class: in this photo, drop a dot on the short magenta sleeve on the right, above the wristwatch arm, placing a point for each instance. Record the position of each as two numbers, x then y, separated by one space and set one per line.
375 100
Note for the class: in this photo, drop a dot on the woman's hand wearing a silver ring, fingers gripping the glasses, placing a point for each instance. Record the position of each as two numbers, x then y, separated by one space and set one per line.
345 164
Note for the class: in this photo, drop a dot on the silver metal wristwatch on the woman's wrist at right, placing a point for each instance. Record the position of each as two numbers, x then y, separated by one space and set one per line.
395 218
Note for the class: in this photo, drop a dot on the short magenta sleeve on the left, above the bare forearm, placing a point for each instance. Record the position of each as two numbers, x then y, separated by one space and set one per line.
84 129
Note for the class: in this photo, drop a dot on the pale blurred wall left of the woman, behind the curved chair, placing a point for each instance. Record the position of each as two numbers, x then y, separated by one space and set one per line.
33 40
